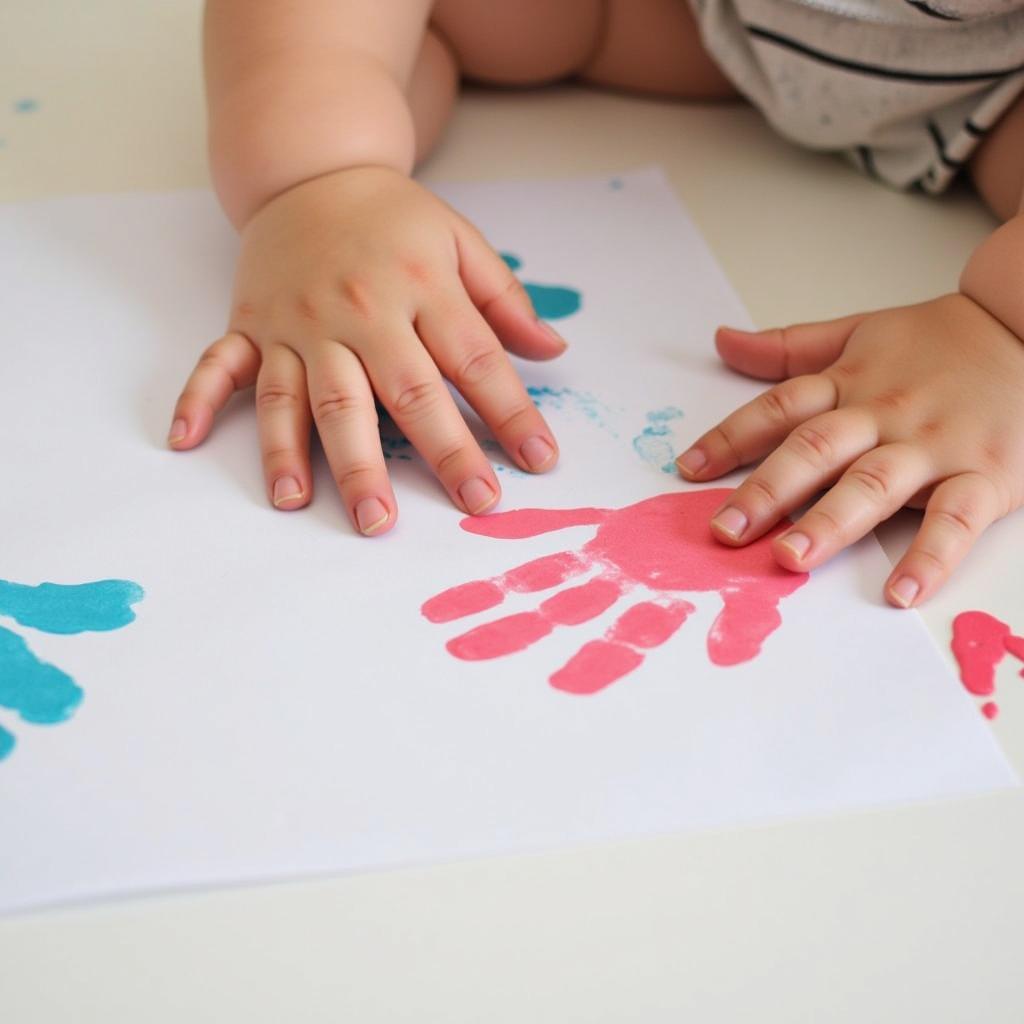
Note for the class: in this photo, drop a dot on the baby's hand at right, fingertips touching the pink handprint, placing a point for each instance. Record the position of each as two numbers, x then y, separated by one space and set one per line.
917 406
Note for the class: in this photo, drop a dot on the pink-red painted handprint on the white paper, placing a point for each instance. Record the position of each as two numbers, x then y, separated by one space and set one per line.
664 544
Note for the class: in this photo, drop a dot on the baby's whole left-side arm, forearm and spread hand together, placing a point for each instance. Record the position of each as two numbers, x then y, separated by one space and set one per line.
354 282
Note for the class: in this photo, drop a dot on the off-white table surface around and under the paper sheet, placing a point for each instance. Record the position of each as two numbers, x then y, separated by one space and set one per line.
905 915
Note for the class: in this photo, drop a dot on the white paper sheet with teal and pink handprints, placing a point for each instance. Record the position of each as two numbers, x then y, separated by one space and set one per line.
282 706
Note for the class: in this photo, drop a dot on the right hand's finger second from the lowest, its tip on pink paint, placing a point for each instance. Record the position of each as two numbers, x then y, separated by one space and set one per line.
872 490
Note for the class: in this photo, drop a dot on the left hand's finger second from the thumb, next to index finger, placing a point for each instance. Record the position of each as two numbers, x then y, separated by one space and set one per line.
411 389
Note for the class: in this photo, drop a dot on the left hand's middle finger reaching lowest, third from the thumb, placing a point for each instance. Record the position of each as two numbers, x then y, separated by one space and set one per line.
344 409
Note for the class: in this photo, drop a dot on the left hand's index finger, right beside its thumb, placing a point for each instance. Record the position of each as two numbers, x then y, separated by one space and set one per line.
468 355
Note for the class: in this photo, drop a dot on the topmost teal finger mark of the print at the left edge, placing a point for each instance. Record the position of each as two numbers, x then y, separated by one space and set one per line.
88 608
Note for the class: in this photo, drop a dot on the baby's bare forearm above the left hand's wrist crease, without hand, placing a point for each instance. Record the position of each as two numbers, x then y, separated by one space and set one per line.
303 90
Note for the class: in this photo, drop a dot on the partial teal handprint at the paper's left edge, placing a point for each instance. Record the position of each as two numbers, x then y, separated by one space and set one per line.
37 692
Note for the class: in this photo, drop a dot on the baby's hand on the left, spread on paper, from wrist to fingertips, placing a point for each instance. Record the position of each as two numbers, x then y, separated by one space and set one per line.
362 284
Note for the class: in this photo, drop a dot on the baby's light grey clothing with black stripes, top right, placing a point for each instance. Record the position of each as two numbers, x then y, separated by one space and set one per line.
906 90
